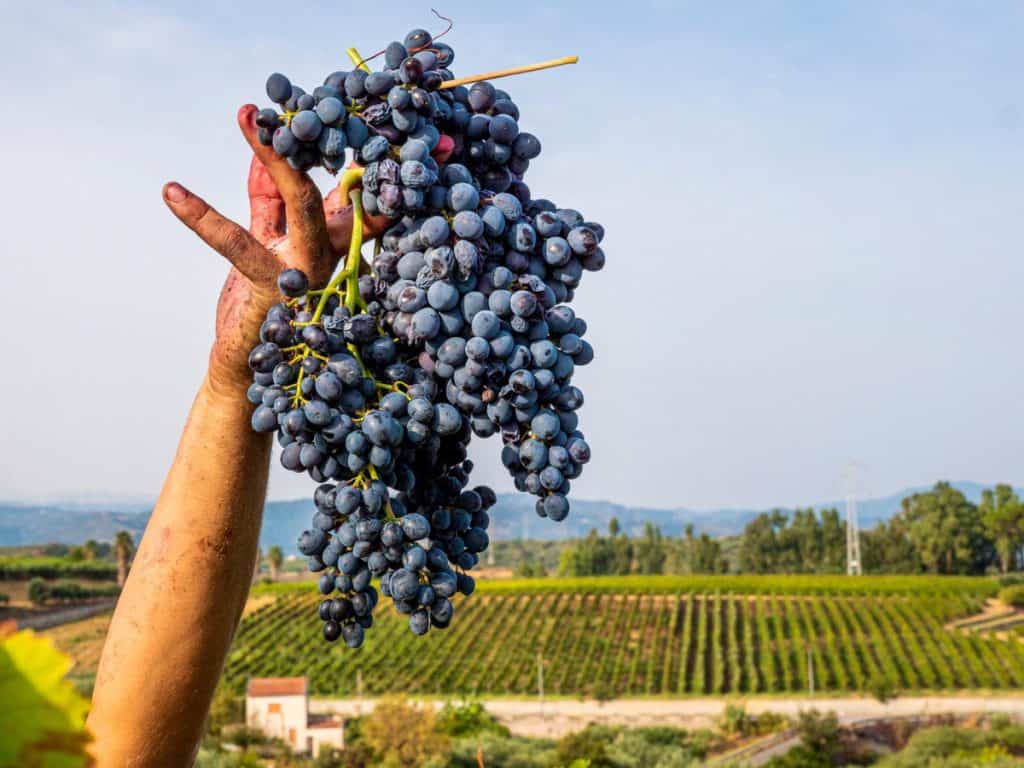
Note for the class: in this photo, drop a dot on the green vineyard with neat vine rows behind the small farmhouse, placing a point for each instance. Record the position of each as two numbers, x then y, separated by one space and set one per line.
652 636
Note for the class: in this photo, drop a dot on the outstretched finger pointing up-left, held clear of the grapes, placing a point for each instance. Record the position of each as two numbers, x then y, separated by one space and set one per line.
223 235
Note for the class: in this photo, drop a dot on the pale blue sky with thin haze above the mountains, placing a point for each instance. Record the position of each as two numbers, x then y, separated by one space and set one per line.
814 212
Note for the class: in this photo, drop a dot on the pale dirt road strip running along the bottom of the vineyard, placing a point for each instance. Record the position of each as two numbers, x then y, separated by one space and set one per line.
556 718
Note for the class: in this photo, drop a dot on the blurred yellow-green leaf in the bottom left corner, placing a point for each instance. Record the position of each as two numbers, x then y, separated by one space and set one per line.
42 717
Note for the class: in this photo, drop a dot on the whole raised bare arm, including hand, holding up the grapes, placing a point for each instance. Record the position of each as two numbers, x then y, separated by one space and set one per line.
178 613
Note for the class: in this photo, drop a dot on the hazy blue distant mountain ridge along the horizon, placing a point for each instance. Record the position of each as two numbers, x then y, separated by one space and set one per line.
514 518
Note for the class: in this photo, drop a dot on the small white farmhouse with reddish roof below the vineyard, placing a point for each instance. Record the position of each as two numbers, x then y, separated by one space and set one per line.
279 707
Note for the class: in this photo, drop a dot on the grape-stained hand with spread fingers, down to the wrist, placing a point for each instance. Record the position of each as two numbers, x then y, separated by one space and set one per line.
291 226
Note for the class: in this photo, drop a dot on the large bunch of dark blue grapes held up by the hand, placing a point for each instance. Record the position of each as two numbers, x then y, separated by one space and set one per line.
376 383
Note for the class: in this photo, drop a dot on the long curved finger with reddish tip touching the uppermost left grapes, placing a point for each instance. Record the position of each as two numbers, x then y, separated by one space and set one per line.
304 203
